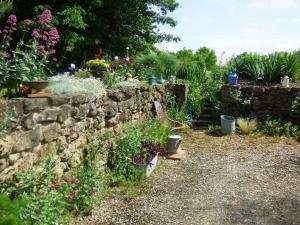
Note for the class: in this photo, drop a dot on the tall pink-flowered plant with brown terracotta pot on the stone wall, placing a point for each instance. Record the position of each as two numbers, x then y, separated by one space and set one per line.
26 61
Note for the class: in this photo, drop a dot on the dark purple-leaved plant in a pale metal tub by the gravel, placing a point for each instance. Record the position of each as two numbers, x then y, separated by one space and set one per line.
147 160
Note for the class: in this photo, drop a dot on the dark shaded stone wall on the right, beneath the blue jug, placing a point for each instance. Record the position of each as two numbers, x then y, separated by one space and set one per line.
261 102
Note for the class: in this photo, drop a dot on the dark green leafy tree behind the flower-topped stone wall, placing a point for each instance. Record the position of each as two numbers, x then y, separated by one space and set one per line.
86 25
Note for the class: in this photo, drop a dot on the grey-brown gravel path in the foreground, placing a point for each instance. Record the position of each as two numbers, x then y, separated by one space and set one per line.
223 180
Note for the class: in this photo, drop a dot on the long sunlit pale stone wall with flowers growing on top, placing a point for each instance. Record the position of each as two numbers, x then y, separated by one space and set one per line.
59 124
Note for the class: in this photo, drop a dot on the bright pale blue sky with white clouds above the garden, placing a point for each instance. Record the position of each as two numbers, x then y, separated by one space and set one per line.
235 26
